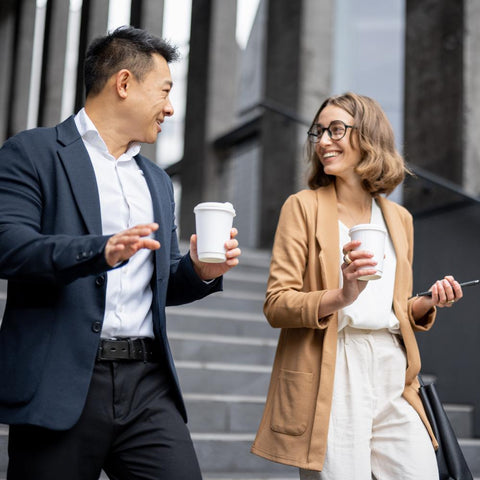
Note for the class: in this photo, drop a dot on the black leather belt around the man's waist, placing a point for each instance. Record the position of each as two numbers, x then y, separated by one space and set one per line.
142 349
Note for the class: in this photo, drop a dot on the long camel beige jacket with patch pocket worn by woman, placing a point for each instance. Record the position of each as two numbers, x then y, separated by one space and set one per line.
304 265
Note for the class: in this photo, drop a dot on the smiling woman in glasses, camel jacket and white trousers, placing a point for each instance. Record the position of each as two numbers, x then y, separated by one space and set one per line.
343 397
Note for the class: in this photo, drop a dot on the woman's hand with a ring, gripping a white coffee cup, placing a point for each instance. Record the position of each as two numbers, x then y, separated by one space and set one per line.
356 264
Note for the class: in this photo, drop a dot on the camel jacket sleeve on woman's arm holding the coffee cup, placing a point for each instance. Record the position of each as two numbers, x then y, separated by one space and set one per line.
288 302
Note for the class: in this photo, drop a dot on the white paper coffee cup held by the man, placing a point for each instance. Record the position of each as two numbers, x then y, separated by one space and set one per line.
213 222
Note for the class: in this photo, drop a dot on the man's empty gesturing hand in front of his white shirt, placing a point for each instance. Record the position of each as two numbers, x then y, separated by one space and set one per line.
124 245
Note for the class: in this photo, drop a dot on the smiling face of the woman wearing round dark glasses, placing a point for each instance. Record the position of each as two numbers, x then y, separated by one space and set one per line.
338 157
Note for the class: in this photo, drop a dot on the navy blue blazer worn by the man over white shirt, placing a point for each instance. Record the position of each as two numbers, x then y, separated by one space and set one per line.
52 254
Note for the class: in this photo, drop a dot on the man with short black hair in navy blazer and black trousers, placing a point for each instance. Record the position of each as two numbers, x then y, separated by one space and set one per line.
89 247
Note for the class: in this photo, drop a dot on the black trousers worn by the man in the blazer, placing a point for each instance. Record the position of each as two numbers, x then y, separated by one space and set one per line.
130 428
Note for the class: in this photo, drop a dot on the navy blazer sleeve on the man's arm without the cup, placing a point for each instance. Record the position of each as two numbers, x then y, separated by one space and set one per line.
25 252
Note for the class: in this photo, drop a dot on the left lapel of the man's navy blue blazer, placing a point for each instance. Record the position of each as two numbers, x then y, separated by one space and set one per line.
81 175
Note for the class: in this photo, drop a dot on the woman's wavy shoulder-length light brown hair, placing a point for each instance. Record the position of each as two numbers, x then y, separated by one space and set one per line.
381 167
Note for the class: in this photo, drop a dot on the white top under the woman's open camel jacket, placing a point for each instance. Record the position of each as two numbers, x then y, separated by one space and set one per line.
373 309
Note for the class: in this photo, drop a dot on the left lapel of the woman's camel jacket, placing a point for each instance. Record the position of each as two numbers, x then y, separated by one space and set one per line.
328 236
